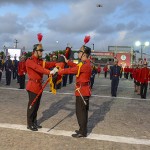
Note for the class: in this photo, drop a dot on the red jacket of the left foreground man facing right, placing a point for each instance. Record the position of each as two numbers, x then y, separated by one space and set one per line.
35 70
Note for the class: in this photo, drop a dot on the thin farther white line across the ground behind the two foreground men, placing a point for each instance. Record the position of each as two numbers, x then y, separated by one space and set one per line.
139 99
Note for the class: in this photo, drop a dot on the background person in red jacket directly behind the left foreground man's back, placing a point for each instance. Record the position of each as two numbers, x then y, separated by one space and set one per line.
22 71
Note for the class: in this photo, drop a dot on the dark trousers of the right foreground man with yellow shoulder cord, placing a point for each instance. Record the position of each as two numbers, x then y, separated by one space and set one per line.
82 113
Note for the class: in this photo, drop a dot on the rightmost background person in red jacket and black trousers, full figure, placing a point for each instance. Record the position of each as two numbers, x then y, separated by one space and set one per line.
144 76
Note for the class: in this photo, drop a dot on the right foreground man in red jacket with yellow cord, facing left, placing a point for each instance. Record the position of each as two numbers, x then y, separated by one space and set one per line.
82 92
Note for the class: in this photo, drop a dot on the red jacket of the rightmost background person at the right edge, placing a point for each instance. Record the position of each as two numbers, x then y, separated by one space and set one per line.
144 75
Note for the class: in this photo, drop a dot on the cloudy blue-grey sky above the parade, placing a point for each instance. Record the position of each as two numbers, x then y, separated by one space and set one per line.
67 22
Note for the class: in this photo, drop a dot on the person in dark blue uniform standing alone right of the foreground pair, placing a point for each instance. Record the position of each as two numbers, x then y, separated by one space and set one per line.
114 77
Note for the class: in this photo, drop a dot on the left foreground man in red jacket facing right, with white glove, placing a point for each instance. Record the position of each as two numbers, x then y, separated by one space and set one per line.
36 67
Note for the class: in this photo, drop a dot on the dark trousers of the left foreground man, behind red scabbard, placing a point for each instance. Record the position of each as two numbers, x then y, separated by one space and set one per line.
32 113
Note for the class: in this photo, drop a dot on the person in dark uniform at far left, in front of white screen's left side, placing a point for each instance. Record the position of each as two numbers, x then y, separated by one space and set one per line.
8 68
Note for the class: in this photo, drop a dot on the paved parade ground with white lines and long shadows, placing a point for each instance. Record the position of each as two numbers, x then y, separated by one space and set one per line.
115 123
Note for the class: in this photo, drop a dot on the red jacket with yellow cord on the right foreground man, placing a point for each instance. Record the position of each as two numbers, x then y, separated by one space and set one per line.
83 79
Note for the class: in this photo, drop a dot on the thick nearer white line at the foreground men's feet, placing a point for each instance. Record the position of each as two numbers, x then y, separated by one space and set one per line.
99 137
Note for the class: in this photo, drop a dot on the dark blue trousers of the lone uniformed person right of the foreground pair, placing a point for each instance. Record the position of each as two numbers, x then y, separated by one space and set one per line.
114 85
